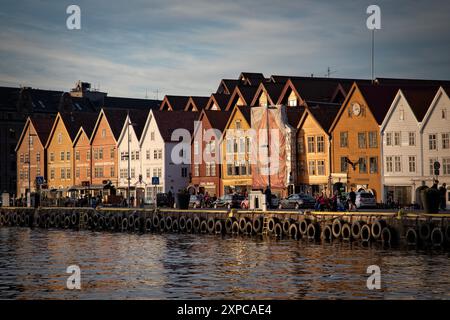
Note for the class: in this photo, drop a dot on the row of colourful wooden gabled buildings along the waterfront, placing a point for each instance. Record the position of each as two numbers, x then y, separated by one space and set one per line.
382 136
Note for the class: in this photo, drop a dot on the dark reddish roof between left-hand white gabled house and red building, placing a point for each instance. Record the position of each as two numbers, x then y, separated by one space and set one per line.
169 121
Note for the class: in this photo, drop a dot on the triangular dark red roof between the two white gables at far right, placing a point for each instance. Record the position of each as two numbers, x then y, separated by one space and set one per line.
419 99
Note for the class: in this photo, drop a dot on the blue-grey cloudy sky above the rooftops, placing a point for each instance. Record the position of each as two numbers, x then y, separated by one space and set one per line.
136 48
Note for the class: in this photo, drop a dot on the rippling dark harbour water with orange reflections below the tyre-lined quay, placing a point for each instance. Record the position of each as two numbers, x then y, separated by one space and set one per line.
174 266
